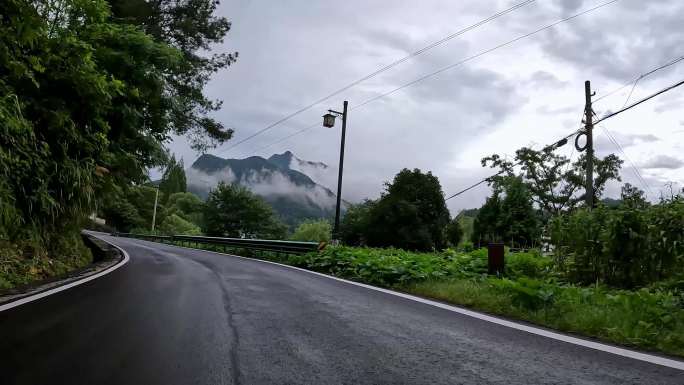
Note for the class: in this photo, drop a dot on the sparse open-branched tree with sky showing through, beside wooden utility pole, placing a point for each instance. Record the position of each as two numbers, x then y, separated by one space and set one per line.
554 183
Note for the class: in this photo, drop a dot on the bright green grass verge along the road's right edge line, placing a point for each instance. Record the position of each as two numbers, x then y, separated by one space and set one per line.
651 320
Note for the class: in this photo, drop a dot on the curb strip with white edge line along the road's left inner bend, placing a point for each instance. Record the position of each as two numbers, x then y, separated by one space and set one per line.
87 274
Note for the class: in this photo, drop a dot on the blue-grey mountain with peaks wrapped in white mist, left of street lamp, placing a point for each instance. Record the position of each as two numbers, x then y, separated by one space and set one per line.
281 180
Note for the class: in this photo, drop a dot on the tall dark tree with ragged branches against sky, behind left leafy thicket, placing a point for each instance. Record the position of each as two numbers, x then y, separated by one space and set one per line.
191 27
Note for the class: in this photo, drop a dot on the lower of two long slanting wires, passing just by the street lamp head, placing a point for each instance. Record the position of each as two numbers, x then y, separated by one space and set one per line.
461 62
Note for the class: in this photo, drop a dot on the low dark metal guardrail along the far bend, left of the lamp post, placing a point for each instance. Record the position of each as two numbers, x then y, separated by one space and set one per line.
287 247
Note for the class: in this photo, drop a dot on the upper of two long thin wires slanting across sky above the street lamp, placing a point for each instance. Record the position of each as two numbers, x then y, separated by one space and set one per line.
385 68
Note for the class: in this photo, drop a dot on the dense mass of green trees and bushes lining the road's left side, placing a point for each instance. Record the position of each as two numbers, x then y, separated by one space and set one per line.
90 93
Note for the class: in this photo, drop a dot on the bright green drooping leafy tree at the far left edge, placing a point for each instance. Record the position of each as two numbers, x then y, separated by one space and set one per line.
53 110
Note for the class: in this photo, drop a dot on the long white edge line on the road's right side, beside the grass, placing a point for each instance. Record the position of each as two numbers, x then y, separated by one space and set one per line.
485 317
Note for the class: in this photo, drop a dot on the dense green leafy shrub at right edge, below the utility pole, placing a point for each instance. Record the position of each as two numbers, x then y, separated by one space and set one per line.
623 247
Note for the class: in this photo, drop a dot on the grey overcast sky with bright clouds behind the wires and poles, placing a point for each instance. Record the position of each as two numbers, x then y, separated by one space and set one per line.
530 93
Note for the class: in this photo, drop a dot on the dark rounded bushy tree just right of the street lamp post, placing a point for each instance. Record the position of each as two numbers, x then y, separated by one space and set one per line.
411 214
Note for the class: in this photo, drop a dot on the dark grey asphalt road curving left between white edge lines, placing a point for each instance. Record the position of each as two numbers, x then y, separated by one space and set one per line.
180 316
